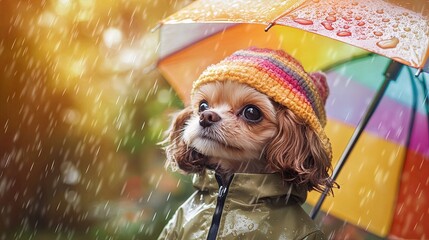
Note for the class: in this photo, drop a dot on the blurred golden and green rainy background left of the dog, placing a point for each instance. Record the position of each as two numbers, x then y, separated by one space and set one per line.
82 108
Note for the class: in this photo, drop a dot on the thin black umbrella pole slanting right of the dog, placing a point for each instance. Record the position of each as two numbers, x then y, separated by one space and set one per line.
391 73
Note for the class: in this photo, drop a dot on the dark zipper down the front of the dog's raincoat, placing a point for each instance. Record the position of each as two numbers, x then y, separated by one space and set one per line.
223 191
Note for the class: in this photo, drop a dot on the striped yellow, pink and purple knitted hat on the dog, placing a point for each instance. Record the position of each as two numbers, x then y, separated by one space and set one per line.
279 76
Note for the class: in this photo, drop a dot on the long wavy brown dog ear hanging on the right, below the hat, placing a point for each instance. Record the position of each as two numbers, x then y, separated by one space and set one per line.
297 153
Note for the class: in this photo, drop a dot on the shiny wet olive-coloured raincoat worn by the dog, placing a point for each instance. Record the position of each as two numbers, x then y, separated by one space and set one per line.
250 206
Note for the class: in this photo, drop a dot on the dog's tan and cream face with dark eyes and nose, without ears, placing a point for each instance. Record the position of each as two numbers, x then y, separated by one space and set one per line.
231 122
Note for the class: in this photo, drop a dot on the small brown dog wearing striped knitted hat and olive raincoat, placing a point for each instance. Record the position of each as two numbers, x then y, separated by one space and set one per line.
255 115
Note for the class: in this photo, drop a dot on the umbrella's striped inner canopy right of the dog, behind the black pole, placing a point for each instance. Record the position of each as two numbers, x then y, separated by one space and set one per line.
385 187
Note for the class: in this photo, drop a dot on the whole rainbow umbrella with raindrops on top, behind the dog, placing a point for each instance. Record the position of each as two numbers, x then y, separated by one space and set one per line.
374 188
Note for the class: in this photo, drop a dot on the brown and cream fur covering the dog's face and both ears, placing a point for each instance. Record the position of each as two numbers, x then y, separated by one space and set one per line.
280 143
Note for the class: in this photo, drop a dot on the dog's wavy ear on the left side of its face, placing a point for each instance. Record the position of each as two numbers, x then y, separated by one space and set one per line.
179 154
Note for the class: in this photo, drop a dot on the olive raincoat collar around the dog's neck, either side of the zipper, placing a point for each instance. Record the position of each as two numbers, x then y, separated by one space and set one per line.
248 188
